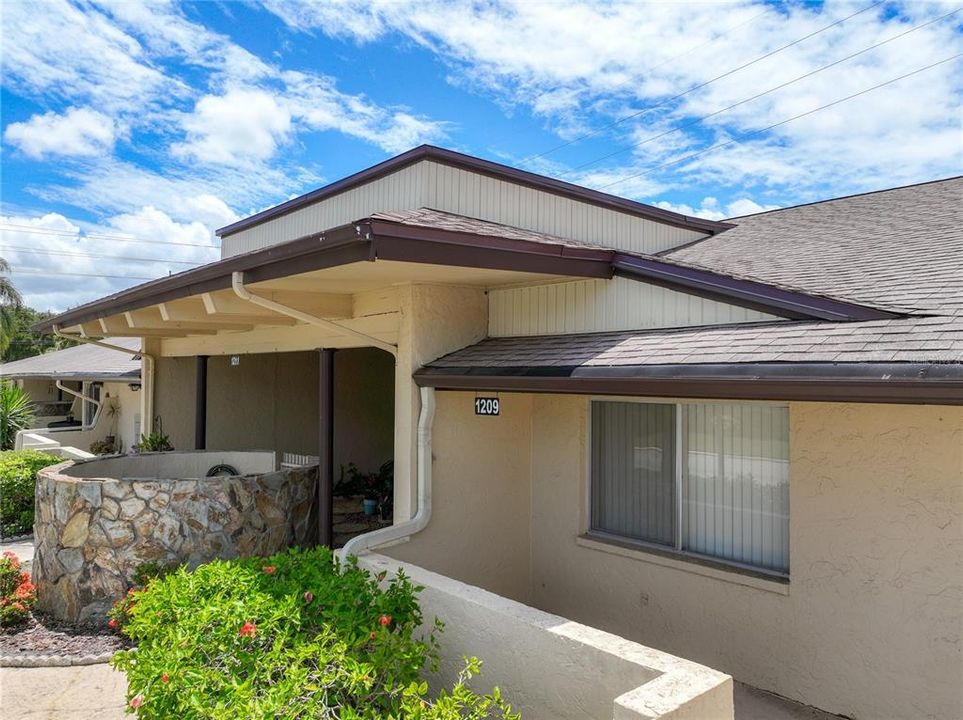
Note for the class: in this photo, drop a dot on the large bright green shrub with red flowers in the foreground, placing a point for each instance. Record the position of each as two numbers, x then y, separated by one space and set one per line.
289 636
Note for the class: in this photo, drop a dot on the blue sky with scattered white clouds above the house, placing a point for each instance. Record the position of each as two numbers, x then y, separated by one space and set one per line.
130 131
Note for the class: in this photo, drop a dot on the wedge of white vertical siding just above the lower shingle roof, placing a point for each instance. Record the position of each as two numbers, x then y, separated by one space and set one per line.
603 305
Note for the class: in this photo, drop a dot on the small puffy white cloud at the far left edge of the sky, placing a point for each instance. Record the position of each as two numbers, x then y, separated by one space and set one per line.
78 132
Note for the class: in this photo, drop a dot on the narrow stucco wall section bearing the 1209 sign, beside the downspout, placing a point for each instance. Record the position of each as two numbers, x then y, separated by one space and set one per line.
479 532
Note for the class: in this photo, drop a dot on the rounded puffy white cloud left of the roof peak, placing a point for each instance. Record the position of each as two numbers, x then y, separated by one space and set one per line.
234 128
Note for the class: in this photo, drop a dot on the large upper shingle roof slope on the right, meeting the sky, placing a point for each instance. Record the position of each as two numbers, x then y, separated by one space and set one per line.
899 249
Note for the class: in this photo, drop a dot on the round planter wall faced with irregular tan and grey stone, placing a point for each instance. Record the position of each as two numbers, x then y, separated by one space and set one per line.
92 532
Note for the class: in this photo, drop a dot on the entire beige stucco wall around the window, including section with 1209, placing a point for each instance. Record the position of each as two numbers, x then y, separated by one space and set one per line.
871 624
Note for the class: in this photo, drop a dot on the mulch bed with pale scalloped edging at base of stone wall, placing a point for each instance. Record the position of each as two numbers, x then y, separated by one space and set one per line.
44 635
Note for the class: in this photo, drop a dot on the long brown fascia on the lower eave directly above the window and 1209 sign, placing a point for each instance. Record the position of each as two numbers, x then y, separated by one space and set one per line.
906 383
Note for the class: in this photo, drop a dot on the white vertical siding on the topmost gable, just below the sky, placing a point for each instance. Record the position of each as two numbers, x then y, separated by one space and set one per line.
442 187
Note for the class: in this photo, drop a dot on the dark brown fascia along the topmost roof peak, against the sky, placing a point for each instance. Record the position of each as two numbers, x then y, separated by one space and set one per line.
482 167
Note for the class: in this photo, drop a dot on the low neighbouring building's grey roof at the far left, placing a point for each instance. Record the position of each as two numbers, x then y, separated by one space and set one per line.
81 362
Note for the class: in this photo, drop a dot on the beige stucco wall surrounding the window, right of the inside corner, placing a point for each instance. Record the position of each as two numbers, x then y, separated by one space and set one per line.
871 625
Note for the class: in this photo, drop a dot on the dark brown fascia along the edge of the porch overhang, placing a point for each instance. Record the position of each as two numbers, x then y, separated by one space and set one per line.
357 242
